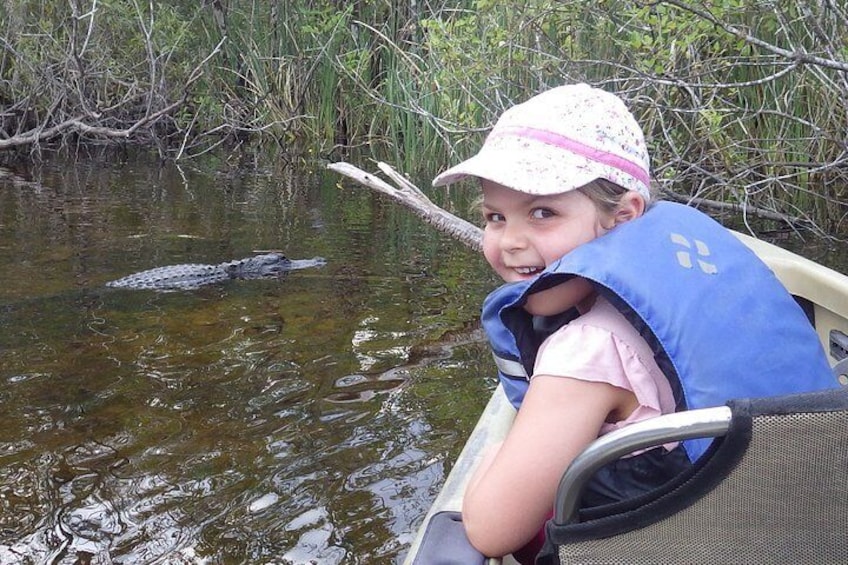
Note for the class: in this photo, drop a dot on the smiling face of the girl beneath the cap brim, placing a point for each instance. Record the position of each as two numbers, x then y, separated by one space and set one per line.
525 233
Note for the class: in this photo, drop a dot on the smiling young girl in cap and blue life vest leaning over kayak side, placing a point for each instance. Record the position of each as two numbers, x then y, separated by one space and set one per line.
561 174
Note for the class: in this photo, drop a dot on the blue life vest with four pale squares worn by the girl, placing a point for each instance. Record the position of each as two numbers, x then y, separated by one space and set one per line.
720 323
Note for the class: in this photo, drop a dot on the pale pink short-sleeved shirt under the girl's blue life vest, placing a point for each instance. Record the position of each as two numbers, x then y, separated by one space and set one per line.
602 346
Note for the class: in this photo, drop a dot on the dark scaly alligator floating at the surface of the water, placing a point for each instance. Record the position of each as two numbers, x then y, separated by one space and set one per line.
194 275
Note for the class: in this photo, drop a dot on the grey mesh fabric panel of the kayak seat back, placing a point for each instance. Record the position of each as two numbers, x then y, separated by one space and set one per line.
783 498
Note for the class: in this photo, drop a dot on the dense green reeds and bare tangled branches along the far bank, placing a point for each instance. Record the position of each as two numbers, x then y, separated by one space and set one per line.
744 102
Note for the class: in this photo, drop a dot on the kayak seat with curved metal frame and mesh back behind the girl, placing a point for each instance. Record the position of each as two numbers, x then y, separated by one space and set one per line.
772 488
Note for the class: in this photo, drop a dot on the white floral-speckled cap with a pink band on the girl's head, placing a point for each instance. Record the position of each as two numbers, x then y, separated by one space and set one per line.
559 140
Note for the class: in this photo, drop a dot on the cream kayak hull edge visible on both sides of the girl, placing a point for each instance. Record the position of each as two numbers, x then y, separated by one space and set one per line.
824 288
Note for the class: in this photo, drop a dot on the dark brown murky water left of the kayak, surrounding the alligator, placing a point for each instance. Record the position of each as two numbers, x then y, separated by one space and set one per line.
304 420
